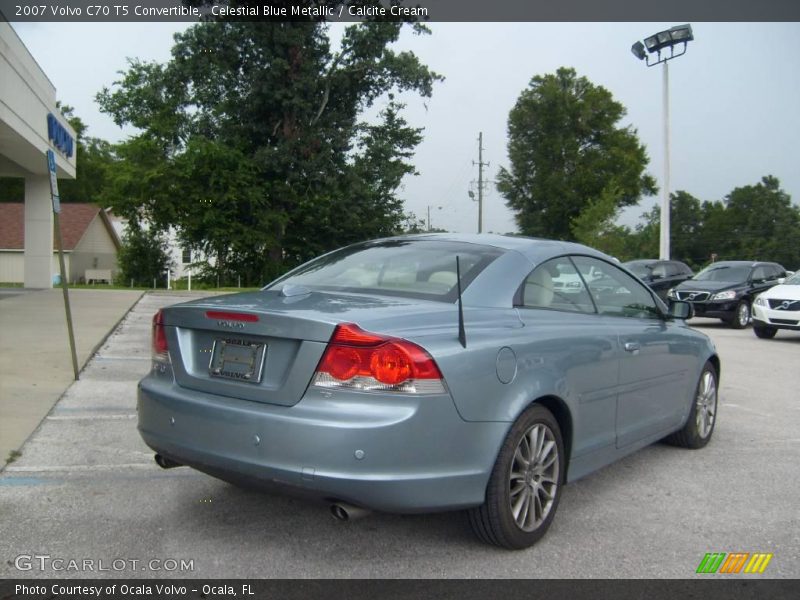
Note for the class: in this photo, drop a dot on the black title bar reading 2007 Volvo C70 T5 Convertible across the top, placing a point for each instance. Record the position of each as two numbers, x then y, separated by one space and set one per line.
423 10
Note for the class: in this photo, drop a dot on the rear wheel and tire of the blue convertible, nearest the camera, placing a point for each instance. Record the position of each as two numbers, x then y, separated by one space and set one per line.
521 500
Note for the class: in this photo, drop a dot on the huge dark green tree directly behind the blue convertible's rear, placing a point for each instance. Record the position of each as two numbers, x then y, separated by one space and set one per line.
252 143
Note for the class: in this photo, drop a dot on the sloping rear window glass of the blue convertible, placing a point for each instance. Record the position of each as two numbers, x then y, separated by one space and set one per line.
408 268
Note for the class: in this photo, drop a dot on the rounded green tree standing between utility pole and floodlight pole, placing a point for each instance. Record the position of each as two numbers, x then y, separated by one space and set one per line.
565 148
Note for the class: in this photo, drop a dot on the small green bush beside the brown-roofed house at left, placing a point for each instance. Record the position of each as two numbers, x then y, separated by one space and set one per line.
143 257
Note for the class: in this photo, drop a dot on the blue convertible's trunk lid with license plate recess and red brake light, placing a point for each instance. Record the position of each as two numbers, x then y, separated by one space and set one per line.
265 346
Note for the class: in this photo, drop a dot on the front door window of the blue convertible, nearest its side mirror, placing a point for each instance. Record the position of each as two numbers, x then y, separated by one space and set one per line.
615 292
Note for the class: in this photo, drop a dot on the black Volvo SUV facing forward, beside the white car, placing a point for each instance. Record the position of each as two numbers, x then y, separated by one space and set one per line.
726 289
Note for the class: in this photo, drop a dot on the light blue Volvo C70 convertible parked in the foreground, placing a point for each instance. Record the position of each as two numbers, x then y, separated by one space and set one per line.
427 373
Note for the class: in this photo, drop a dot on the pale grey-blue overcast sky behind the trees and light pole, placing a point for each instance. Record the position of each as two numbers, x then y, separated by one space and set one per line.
734 99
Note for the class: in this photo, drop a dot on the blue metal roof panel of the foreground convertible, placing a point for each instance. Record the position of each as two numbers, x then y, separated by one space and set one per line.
535 249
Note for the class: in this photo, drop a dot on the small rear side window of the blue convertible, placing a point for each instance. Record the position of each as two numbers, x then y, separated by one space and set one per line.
556 285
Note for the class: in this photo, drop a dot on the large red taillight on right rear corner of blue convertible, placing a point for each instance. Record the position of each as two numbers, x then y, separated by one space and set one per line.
360 360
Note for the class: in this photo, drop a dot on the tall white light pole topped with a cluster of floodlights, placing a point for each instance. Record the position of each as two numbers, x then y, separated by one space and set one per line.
679 36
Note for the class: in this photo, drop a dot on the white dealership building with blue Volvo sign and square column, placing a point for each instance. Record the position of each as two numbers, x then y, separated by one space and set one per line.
30 124
